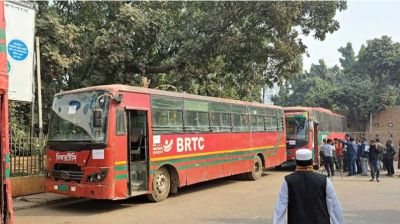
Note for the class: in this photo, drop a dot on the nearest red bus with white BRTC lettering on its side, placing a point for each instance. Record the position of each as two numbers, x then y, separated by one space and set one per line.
115 141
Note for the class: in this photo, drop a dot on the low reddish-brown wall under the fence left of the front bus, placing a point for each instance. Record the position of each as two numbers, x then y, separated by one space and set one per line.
27 185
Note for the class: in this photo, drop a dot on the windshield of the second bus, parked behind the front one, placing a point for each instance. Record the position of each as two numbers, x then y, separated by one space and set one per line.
296 127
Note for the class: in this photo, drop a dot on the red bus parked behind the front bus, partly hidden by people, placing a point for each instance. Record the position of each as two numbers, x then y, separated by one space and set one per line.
307 126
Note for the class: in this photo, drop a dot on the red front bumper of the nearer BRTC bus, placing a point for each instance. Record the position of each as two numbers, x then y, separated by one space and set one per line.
73 189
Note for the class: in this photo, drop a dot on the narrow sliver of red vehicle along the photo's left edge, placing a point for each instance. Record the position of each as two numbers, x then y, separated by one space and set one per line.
6 209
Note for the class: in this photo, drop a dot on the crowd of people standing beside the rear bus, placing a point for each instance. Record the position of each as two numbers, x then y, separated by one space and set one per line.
356 156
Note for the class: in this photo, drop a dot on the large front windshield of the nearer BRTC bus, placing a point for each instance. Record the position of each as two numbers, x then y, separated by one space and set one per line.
72 117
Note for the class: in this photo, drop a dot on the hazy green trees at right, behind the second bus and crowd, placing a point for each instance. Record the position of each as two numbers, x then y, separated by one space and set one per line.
366 83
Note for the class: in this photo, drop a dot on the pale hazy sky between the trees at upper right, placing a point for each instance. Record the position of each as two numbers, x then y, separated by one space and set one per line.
363 20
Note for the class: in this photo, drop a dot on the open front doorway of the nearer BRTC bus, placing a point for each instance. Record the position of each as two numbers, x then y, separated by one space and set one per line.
138 154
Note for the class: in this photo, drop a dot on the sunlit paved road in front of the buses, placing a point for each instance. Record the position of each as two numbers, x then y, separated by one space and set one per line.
226 200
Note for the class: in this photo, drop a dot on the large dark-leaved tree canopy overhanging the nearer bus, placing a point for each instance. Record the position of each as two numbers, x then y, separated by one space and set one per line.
224 49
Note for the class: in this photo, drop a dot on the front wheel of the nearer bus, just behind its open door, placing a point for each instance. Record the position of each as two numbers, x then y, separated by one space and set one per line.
161 185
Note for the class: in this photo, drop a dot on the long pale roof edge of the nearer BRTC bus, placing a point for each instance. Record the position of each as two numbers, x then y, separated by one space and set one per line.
125 88
